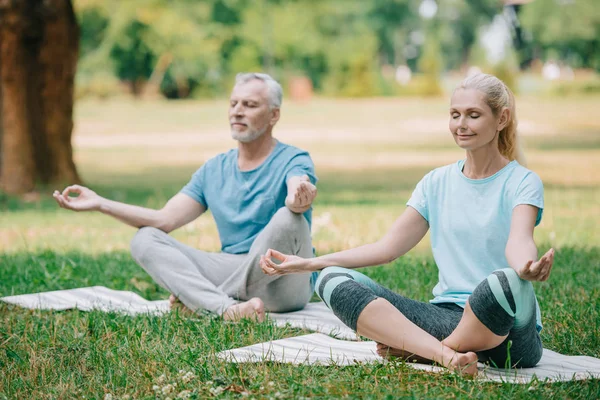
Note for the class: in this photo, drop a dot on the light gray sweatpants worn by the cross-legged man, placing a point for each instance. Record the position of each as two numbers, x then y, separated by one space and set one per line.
216 281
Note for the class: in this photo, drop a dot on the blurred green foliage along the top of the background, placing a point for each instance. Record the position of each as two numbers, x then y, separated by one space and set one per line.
184 48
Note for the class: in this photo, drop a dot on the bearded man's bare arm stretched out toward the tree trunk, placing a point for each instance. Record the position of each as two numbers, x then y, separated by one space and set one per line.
178 211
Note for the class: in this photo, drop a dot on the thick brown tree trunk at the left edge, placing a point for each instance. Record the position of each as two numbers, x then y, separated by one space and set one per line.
38 57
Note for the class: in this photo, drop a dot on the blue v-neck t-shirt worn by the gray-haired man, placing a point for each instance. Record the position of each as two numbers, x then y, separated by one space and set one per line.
243 202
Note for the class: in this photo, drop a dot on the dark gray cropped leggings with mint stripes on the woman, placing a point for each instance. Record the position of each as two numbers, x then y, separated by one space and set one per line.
503 302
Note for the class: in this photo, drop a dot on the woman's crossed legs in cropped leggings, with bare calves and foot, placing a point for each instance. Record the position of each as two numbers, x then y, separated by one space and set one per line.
442 333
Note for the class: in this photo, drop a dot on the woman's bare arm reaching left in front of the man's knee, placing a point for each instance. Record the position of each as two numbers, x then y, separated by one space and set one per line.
405 233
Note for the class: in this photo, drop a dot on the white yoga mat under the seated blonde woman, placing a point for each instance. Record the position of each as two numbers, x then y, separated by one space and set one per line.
321 349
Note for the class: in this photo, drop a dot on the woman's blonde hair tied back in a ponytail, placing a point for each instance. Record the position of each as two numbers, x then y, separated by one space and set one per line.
498 96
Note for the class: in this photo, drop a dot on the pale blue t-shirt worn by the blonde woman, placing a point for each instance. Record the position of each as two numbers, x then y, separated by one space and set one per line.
469 220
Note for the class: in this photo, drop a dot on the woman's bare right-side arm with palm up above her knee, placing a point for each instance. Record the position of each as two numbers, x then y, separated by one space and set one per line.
521 251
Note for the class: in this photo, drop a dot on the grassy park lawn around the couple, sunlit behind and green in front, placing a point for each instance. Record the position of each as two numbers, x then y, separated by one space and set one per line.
369 155
